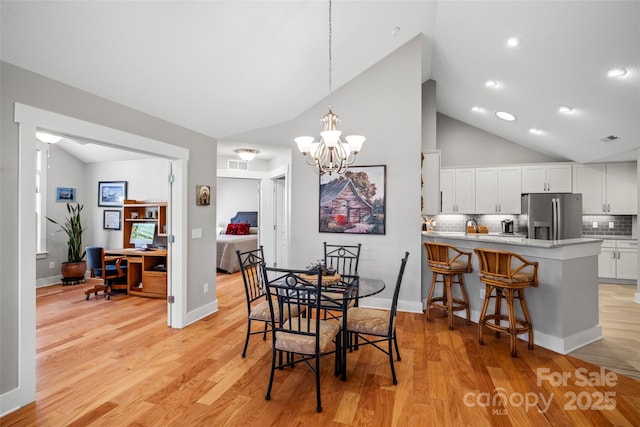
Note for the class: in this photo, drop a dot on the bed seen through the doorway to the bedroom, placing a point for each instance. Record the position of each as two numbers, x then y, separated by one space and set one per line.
228 244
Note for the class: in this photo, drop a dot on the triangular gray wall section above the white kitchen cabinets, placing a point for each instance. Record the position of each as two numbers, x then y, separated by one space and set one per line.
465 145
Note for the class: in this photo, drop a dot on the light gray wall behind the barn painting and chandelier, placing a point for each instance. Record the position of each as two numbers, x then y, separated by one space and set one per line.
385 104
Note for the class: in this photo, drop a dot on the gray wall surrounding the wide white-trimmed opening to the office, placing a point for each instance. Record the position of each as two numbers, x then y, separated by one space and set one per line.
19 85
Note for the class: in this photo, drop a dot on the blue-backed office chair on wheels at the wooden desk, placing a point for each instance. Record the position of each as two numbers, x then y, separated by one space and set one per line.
109 268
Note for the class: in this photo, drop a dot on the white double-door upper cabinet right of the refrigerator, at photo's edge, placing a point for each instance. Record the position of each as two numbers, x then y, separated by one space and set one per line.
607 188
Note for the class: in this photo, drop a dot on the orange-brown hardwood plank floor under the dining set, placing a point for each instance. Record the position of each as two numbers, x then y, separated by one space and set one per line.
116 363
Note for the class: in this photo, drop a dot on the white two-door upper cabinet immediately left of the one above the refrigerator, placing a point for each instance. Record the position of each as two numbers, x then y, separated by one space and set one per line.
498 190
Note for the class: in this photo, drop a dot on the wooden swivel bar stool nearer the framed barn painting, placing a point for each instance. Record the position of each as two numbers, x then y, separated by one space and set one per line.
449 263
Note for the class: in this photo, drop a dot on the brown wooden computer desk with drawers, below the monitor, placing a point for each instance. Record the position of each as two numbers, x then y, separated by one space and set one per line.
145 277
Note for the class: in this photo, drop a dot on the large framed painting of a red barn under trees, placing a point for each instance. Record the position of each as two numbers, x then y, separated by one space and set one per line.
353 202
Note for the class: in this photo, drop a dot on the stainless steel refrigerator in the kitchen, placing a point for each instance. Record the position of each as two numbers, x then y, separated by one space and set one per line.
551 216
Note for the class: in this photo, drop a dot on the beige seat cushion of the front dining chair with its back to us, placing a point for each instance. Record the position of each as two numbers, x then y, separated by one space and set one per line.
305 344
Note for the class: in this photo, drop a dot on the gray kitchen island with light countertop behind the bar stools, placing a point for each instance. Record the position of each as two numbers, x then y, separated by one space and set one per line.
563 308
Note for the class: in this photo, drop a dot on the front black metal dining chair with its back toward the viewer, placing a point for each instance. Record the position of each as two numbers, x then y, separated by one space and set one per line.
306 338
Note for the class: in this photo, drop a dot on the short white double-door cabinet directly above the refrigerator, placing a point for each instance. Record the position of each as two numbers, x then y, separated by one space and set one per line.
547 178
